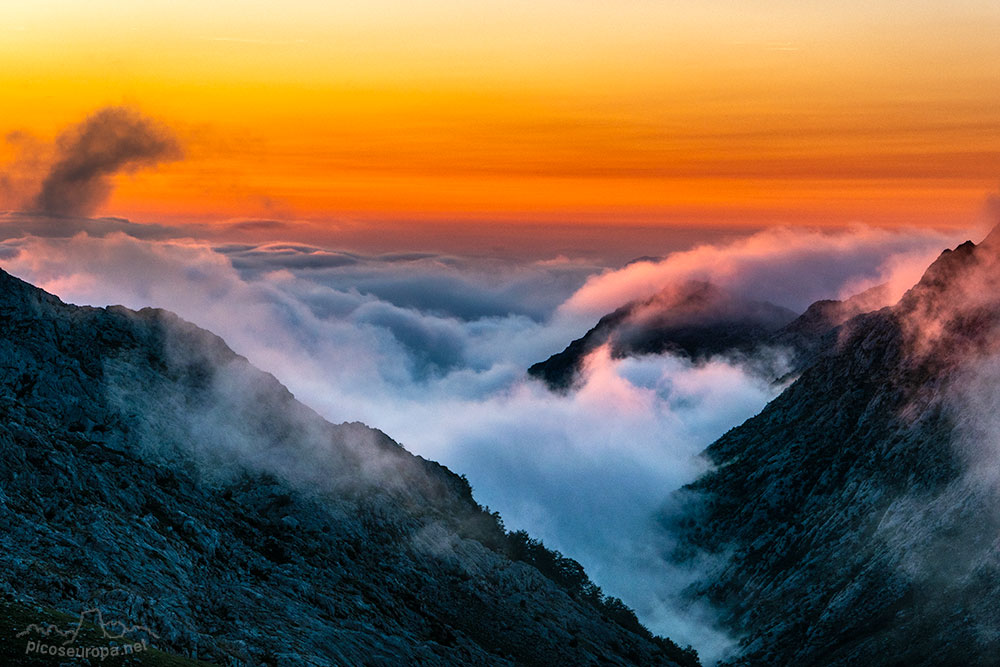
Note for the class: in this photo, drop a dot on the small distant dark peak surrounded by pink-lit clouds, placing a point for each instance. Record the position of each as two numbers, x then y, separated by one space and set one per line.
693 319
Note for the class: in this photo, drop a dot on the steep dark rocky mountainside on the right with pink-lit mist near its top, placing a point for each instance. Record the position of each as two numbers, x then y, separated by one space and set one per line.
854 521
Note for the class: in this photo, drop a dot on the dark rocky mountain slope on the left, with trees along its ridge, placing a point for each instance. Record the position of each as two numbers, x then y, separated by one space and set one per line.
148 470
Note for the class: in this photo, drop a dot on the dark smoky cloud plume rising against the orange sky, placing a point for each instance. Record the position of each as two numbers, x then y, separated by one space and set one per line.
111 140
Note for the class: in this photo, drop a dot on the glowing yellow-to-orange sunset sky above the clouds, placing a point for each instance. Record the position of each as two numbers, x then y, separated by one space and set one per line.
652 113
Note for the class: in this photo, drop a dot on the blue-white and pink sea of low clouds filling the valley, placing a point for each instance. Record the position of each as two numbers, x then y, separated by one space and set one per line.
432 349
